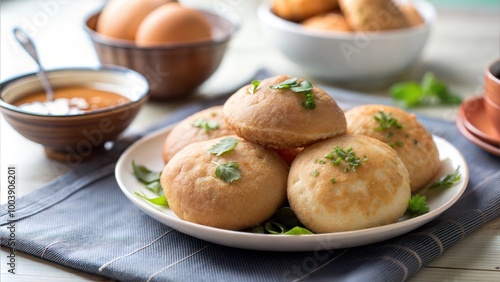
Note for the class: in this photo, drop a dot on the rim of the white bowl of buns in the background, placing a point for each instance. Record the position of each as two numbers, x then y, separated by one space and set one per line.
268 17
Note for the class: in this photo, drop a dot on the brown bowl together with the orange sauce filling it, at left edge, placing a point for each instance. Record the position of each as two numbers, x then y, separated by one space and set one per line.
90 107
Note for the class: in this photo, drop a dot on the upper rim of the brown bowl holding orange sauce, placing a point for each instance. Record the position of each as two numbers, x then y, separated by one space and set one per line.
106 68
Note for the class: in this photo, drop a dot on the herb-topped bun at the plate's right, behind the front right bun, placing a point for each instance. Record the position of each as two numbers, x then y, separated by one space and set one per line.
404 133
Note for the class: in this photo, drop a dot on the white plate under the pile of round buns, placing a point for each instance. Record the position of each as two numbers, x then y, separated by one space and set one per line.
287 243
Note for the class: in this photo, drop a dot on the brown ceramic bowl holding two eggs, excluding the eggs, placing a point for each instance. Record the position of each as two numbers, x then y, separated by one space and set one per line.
173 70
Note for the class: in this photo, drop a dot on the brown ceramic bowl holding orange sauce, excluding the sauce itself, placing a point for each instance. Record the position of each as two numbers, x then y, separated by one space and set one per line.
73 138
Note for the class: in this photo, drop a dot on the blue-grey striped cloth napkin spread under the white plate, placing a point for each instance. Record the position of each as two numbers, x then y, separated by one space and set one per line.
83 220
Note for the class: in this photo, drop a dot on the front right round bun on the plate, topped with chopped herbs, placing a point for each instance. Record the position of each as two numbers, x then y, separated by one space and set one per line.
347 183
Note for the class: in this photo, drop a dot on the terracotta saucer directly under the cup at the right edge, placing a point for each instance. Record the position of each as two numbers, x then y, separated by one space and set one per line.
473 114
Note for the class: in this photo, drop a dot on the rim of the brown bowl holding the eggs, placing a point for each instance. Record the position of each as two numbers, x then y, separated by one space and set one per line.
128 44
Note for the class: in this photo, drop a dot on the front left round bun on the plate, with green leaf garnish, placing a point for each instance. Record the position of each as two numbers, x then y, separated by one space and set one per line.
250 188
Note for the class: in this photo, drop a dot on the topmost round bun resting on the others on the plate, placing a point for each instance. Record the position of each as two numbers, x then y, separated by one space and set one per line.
278 117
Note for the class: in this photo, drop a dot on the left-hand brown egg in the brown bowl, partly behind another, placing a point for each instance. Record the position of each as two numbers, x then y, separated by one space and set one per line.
121 18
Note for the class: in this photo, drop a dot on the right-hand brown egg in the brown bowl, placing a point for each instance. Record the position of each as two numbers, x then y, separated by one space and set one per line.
172 23
